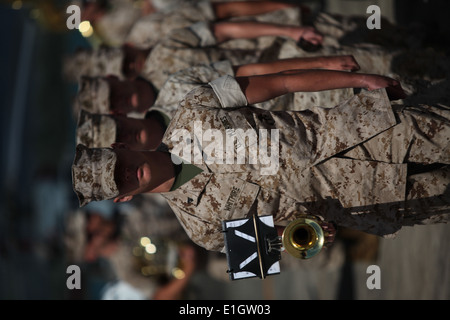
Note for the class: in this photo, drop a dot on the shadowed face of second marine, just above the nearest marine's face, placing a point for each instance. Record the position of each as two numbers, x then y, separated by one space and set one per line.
134 132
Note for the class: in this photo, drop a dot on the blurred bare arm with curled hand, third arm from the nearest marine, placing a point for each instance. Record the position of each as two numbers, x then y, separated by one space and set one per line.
224 31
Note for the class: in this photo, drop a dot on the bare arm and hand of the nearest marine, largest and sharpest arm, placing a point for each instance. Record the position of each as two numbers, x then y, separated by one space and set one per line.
264 87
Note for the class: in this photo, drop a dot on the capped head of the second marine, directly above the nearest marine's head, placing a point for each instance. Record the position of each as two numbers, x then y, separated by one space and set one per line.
101 130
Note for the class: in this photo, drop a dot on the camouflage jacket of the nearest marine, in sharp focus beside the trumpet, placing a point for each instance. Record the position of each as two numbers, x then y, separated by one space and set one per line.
308 176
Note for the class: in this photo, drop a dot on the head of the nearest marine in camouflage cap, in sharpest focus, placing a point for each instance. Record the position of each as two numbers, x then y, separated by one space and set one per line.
114 173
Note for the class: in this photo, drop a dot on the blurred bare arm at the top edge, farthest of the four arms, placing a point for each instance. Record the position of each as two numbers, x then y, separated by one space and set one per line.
225 10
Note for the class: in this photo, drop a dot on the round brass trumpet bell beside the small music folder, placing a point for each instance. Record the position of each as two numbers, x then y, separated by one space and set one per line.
303 238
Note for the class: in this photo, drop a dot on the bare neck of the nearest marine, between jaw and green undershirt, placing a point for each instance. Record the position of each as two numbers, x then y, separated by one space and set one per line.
163 171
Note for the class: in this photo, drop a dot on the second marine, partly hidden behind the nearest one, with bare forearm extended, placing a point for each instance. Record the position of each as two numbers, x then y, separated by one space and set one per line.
98 128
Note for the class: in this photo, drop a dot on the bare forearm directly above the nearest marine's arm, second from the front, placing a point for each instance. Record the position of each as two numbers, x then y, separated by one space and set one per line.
332 63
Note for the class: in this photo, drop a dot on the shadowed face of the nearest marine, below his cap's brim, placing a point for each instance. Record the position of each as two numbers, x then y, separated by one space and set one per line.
132 172
